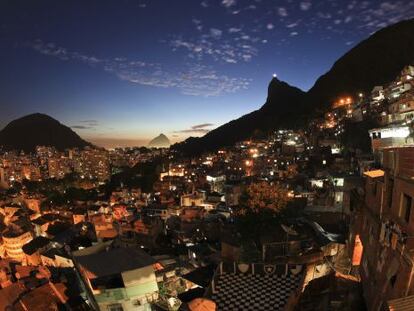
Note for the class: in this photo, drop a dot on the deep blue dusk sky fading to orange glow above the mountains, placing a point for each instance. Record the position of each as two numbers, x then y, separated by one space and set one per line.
121 72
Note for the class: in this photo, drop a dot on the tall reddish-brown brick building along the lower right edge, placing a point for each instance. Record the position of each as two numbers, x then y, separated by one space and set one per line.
386 230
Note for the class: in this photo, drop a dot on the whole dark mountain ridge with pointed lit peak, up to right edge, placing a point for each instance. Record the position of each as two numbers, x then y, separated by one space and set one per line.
375 61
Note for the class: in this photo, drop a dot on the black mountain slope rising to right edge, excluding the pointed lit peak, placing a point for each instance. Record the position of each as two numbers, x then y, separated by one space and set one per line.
375 61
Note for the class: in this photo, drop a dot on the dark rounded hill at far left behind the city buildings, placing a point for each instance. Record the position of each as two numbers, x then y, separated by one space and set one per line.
39 130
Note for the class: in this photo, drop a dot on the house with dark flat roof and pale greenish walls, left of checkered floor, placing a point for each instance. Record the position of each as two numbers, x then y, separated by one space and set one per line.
118 278
